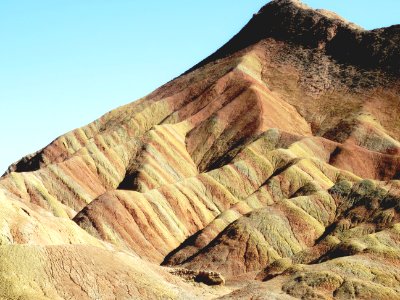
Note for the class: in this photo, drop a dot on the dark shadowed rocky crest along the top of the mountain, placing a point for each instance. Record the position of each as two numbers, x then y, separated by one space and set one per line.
294 22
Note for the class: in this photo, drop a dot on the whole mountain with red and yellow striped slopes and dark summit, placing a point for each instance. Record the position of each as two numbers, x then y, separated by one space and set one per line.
270 170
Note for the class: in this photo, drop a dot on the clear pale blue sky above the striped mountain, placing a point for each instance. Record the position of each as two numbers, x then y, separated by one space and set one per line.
64 63
